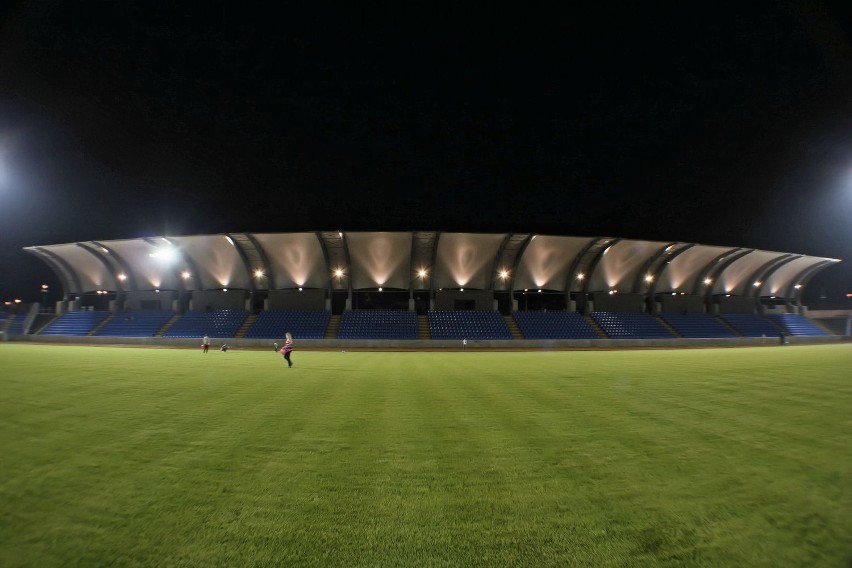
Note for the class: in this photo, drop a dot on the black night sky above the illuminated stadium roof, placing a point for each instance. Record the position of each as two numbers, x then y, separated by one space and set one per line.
728 126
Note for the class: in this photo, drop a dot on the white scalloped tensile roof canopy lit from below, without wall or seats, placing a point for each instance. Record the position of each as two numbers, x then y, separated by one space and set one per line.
419 260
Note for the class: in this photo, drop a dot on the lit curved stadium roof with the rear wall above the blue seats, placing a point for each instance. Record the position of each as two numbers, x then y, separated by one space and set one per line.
423 270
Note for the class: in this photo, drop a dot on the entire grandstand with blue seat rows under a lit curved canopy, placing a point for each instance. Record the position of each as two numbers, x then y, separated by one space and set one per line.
326 286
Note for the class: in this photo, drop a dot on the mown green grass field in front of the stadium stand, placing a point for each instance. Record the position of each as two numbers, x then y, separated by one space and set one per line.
168 457
